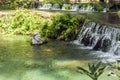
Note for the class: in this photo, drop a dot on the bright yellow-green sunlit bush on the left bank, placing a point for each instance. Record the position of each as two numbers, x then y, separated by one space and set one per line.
22 22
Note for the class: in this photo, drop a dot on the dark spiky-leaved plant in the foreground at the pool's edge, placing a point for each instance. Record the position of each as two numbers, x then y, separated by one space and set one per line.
94 72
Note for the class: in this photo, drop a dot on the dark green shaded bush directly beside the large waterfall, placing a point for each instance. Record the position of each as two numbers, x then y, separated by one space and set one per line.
64 26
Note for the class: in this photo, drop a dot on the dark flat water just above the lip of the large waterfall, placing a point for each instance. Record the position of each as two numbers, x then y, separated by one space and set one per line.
107 18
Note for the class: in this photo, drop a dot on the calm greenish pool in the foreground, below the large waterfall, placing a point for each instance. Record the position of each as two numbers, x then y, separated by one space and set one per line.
53 61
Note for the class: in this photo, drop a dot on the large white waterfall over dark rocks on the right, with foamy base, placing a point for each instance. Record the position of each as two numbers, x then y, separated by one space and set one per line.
103 39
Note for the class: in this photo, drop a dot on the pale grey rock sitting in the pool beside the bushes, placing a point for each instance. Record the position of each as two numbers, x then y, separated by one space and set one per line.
37 40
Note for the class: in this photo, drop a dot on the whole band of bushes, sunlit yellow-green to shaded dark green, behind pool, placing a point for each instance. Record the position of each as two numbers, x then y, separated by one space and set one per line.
56 26
